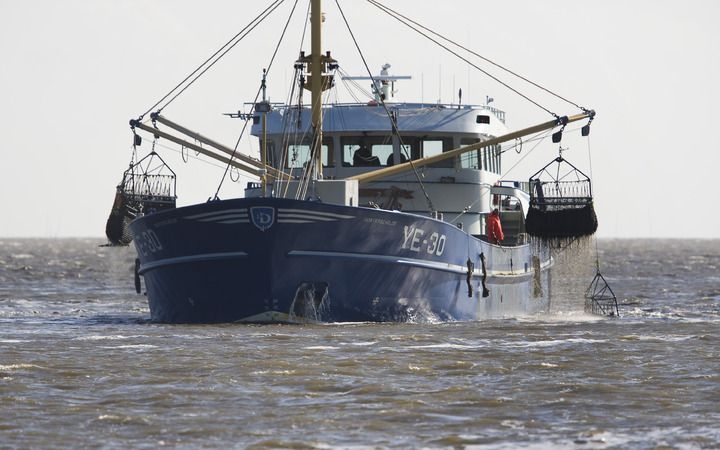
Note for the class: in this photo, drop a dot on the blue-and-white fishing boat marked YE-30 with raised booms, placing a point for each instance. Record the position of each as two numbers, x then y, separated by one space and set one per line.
368 211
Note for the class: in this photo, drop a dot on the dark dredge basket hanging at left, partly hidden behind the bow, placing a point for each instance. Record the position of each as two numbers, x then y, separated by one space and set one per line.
147 186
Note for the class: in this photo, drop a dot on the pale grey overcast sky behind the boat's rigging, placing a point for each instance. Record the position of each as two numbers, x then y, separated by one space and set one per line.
73 73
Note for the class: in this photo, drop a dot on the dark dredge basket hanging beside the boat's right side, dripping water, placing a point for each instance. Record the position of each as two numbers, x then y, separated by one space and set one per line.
561 203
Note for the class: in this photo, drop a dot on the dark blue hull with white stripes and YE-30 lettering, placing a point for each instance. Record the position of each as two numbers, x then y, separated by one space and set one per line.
281 260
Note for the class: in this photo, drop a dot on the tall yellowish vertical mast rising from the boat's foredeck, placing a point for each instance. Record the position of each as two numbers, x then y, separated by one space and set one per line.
316 81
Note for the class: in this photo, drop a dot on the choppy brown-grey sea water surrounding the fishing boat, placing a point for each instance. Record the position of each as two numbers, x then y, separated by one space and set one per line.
81 365
